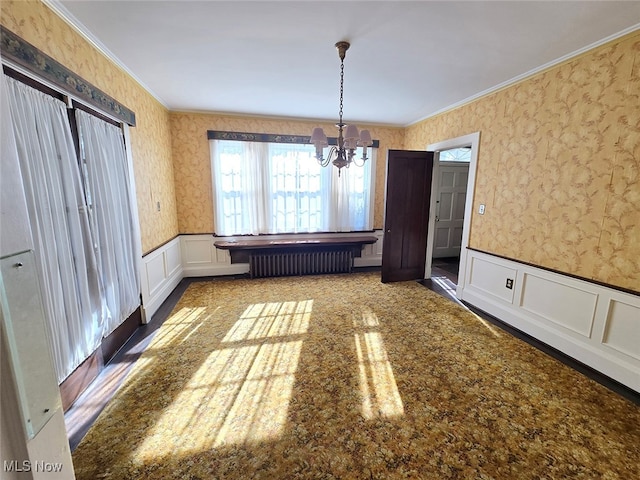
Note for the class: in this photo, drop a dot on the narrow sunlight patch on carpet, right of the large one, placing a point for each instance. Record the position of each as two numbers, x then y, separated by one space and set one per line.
380 395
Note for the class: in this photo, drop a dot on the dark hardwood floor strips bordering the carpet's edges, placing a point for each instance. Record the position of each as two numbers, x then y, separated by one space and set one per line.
88 406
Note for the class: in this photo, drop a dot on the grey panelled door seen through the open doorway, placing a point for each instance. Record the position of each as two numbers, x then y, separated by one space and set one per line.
451 197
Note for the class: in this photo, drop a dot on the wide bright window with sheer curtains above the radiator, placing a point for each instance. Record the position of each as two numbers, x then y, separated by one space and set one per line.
262 187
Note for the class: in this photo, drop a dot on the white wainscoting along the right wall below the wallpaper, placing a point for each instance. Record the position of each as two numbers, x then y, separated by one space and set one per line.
596 325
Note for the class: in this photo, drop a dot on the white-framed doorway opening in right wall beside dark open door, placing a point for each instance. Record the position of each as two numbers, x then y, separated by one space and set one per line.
454 170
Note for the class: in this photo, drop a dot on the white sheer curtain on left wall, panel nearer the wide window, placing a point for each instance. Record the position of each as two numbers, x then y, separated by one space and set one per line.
111 215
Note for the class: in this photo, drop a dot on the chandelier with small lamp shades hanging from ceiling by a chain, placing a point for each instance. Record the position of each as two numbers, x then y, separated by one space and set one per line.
342 154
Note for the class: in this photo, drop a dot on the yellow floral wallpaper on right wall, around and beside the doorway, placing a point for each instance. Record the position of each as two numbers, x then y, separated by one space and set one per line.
559 165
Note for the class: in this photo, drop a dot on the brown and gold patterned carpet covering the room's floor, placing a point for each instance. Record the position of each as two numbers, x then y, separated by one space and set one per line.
343 377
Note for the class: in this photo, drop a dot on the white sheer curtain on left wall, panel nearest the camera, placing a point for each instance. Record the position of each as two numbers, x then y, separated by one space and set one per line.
67 265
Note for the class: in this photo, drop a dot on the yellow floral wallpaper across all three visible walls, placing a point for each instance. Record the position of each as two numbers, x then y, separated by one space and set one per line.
558 166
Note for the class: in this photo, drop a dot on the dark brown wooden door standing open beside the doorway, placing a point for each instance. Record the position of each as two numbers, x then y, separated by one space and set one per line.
404 247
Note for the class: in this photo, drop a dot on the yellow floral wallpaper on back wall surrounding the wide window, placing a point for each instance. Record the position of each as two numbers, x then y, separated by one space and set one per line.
192 167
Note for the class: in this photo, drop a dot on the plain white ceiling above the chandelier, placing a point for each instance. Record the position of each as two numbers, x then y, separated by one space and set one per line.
407 61
